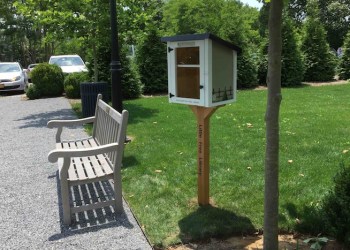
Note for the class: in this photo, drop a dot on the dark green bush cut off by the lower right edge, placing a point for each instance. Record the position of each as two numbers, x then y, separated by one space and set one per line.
337 207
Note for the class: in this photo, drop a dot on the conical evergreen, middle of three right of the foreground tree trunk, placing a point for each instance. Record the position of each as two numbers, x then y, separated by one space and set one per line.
319 60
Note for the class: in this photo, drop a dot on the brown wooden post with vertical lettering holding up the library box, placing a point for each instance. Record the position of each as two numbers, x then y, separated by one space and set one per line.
203 116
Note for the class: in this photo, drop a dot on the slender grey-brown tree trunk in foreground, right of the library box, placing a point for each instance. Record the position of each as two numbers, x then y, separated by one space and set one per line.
272 127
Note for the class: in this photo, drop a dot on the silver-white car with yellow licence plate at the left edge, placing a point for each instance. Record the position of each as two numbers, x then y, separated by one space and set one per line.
12 77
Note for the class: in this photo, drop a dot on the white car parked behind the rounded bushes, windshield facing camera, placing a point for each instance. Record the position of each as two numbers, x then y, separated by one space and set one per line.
69 63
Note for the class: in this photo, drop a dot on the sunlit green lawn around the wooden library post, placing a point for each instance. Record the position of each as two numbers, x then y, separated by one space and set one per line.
160 176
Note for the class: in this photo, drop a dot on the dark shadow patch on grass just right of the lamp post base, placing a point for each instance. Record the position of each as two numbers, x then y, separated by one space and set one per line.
138 113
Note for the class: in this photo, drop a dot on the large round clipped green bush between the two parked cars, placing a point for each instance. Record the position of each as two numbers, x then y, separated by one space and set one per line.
48 79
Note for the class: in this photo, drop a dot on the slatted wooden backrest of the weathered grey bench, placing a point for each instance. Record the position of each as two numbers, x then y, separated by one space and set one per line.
109 127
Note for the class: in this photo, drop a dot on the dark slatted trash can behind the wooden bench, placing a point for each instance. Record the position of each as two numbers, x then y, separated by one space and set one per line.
88 93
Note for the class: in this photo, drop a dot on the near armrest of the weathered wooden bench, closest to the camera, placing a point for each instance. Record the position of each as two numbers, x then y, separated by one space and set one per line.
68 153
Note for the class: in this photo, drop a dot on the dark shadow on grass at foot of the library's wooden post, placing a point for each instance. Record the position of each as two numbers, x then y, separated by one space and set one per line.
209 221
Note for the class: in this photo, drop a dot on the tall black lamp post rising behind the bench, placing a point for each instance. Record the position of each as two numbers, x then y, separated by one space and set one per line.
117 102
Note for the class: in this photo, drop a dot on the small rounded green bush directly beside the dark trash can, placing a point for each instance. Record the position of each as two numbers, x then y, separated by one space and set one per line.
72 84
